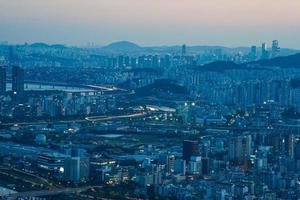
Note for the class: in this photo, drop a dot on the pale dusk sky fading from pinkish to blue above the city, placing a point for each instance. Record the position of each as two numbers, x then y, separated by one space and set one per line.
229 23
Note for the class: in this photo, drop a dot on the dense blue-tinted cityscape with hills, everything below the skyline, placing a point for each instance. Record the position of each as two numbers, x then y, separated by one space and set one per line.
130 122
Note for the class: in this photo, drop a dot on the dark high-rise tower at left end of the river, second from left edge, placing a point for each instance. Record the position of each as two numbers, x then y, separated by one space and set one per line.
17 80
